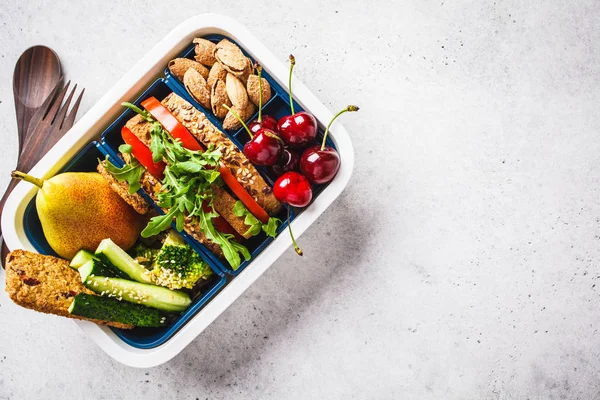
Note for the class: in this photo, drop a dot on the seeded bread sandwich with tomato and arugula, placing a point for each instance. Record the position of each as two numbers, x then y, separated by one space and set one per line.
197 176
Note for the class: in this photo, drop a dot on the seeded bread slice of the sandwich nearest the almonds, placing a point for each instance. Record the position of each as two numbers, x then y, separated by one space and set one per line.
206 133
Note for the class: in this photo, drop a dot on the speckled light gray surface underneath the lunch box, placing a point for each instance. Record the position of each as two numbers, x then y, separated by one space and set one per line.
462 260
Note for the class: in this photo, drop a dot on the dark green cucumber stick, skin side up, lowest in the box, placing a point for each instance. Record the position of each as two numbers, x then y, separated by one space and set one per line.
107 309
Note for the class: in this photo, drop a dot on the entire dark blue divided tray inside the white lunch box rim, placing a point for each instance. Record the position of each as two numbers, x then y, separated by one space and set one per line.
110 140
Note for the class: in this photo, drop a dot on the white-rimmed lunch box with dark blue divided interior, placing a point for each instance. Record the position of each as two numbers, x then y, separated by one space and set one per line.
97 135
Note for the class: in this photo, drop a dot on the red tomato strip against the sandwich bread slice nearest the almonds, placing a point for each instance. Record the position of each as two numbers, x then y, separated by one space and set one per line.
178 131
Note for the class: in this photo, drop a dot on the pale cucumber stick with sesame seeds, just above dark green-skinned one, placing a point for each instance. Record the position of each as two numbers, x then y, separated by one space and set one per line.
139 293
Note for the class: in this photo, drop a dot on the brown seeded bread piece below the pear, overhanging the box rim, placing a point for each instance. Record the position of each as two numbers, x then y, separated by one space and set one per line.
46 284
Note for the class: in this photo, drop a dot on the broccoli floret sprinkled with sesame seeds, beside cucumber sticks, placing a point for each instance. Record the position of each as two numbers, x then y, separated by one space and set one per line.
177 265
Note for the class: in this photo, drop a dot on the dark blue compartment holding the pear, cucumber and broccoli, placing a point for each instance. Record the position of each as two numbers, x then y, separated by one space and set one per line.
144 338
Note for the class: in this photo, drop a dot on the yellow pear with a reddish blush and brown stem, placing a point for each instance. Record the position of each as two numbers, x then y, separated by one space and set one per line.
79 209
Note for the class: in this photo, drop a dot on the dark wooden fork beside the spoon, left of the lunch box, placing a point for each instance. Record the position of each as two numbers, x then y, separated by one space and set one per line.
47 126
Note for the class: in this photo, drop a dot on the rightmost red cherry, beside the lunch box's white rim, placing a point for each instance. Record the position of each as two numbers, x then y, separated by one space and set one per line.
320 165
